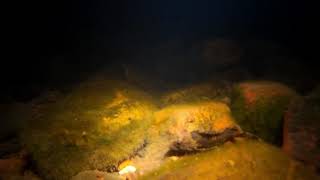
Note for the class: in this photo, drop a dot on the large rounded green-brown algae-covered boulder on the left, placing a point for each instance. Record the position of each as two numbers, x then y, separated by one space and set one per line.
95 126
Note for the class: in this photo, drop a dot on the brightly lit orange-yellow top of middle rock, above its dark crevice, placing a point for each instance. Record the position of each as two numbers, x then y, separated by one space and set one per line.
210 116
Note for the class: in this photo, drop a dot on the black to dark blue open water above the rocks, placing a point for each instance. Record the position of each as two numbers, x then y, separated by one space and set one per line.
54 43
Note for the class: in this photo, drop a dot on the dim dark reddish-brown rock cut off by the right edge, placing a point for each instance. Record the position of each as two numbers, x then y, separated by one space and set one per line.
301 129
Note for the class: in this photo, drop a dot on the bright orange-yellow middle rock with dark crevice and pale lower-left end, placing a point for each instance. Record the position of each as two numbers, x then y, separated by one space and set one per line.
182 129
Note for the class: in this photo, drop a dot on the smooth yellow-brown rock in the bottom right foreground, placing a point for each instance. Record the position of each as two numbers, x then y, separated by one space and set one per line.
243 160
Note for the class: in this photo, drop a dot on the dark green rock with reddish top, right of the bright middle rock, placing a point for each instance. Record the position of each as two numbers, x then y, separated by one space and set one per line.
259 107
